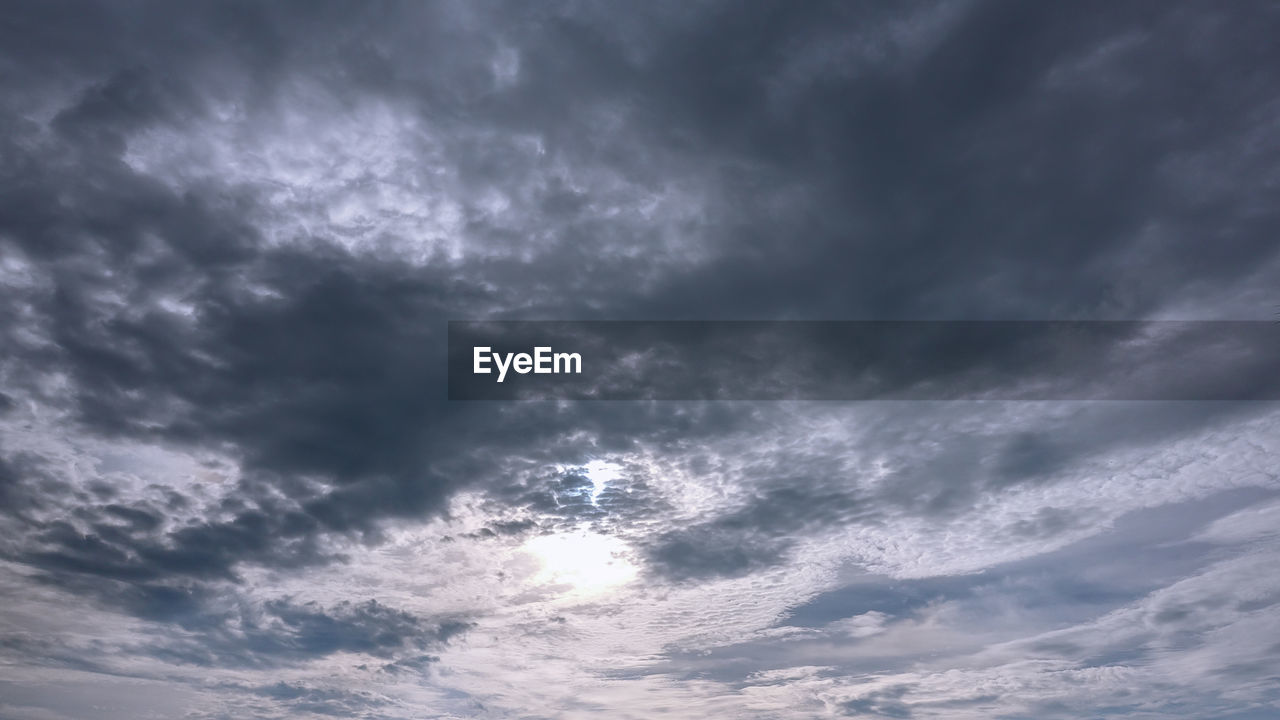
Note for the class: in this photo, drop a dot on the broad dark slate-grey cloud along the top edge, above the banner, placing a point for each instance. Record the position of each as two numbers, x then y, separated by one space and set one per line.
889 153
